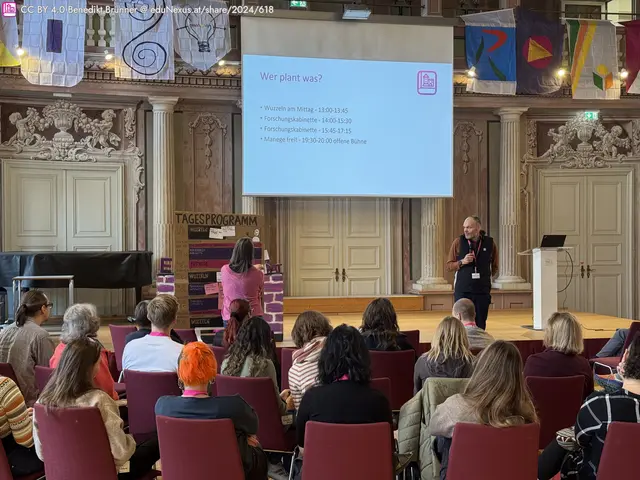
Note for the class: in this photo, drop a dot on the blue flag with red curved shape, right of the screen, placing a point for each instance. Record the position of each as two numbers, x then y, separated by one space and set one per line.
491 51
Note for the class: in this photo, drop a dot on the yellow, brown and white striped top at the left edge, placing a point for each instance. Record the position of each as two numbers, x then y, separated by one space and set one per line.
14 416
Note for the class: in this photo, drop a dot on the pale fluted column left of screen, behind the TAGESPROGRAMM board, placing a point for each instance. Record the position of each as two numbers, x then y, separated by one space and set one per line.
164 189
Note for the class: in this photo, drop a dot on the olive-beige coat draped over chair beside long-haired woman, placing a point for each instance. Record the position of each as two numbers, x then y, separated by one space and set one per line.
415 415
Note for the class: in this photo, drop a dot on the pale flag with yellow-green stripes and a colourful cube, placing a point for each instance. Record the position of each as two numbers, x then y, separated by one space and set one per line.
593 56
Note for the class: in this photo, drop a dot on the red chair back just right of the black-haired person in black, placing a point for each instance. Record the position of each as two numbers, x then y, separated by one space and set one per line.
397 367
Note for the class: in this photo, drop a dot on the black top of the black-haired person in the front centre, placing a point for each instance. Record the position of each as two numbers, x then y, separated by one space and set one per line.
342 402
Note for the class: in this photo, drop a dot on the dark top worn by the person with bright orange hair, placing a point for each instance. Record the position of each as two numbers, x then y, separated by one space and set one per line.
244 418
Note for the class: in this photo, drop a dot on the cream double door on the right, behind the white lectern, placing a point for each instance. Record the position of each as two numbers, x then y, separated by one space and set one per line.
595 210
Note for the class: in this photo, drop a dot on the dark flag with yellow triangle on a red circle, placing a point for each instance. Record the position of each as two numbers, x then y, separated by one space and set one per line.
539 52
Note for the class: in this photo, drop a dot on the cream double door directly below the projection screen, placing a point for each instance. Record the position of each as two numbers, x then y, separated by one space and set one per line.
339 247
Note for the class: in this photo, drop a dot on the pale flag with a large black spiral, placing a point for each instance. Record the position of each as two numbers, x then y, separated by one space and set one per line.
144 40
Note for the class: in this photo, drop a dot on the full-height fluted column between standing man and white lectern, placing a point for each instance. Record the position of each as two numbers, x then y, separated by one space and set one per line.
509 208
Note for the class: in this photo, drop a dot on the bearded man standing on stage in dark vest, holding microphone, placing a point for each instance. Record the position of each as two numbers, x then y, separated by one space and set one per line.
474 258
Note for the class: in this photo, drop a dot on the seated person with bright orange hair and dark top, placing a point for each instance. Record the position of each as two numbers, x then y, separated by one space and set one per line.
197 370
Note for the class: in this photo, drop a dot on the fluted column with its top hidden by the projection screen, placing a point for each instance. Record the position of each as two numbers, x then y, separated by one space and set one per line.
433 247
